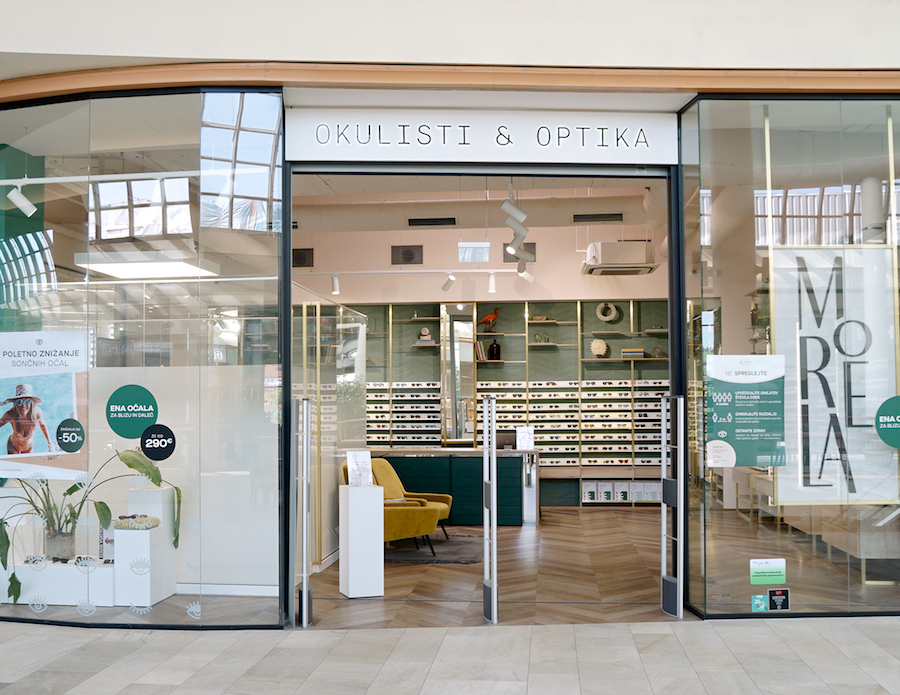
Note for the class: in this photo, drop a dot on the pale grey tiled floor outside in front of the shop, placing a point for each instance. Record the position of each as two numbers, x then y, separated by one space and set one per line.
838 656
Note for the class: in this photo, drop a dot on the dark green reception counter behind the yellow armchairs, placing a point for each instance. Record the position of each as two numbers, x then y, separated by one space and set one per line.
458 471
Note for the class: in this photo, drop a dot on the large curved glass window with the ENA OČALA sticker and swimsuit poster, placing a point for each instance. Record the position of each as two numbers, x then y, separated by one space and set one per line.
140 361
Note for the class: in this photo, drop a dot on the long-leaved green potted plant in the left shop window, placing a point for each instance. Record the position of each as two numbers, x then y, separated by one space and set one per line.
61 517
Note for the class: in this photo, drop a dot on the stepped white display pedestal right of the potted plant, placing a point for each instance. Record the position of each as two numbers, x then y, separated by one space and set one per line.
145 559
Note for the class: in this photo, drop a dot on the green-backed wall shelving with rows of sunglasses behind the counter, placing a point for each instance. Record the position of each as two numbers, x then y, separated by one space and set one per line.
596 414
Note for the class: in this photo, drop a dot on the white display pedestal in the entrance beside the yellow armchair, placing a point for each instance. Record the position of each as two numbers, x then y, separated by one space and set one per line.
361 541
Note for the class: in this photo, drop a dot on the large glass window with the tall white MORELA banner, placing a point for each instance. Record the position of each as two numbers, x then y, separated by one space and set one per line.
794 355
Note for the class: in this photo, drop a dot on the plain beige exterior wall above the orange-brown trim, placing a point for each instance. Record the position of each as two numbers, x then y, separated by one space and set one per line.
730 34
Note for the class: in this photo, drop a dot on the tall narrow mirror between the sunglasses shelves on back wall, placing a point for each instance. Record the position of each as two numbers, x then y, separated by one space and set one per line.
459 373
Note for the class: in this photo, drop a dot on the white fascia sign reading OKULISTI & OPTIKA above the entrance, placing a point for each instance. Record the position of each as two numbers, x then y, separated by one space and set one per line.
486 136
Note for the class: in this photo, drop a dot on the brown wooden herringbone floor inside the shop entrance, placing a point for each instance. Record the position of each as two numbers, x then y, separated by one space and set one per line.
580 566
